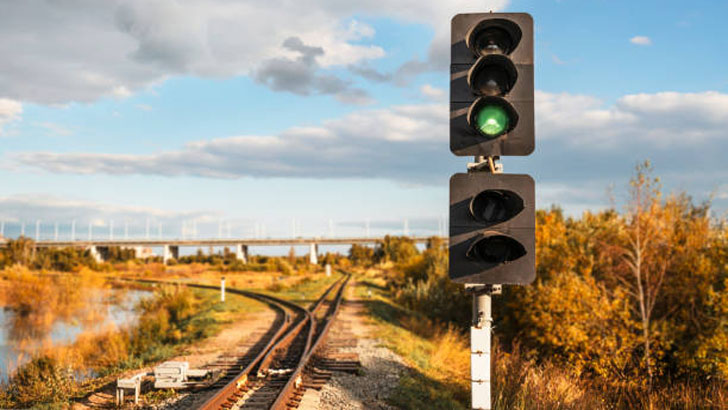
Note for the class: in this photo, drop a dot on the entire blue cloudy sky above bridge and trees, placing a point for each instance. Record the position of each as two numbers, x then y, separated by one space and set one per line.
329 118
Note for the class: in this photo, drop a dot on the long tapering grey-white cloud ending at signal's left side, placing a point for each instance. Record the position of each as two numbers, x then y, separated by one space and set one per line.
382 143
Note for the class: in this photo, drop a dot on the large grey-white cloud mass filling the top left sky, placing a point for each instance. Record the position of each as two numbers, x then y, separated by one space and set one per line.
80 50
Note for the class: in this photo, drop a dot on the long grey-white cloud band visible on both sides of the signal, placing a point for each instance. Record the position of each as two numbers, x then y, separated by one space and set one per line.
408 143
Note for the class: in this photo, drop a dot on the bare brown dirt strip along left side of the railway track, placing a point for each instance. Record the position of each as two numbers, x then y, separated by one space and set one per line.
235 339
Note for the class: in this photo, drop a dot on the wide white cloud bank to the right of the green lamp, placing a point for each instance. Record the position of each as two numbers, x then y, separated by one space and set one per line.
666 119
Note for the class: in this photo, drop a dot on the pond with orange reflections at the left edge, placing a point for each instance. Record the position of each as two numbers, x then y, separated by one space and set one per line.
20 338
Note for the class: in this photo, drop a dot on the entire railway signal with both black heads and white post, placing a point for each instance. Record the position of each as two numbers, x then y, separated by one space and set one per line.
492 215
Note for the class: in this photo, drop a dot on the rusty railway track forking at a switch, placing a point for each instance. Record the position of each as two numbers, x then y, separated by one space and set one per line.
273 374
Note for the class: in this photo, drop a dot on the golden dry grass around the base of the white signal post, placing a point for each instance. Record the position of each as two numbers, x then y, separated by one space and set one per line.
439 356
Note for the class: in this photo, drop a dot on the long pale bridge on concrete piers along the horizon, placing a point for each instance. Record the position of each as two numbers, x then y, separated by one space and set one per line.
171 246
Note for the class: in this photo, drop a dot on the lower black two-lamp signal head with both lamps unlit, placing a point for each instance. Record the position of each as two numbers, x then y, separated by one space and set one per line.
492 220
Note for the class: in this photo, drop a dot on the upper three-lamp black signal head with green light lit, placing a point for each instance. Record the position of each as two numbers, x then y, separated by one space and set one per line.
491 84
